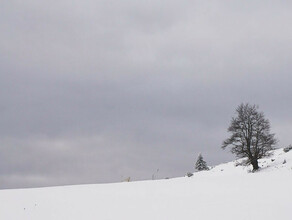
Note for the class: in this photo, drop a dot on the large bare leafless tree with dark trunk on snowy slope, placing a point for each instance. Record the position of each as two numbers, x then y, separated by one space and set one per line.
250 135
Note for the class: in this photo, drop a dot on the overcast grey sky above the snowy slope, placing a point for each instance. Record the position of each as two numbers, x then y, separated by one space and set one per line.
95 91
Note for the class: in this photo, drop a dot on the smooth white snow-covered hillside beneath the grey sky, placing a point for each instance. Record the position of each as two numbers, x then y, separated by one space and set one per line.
225 192
